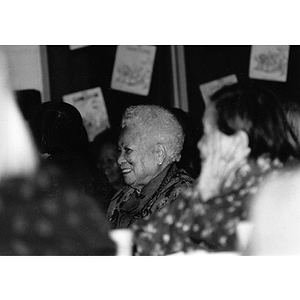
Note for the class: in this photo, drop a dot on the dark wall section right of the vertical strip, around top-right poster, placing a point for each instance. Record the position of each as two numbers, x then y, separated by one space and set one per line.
207 63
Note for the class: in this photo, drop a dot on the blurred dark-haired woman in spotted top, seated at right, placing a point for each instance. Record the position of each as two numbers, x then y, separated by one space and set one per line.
246 137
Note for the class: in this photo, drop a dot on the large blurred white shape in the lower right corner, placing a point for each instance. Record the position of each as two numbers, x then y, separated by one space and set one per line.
275 216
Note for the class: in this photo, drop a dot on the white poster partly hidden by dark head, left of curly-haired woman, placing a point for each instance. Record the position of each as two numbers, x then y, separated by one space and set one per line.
91 106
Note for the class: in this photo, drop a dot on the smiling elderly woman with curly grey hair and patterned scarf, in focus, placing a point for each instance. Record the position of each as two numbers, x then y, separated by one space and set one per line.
150 143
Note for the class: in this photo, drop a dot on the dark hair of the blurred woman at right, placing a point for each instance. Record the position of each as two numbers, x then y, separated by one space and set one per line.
259 113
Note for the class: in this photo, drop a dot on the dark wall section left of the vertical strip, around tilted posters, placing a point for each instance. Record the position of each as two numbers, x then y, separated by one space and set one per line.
92 66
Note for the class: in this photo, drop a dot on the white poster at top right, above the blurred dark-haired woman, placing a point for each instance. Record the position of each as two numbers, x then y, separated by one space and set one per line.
269 62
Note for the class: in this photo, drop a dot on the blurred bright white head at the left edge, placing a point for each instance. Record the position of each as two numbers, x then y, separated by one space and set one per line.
17 154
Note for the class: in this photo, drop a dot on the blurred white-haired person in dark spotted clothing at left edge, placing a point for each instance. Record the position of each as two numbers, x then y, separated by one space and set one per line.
41 213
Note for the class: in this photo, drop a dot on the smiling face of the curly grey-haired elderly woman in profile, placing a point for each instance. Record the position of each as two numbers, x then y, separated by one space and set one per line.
137 158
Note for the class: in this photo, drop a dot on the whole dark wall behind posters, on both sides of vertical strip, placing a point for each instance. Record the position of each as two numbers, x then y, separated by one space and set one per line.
92 66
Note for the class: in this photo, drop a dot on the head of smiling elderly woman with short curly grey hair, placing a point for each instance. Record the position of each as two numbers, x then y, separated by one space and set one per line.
150 140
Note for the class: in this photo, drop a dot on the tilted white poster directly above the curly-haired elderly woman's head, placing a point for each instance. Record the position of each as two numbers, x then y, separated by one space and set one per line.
133 69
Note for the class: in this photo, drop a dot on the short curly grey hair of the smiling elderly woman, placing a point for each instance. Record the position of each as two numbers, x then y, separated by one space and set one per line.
158 122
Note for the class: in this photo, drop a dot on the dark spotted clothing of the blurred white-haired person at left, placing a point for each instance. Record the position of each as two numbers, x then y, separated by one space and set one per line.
45 215
